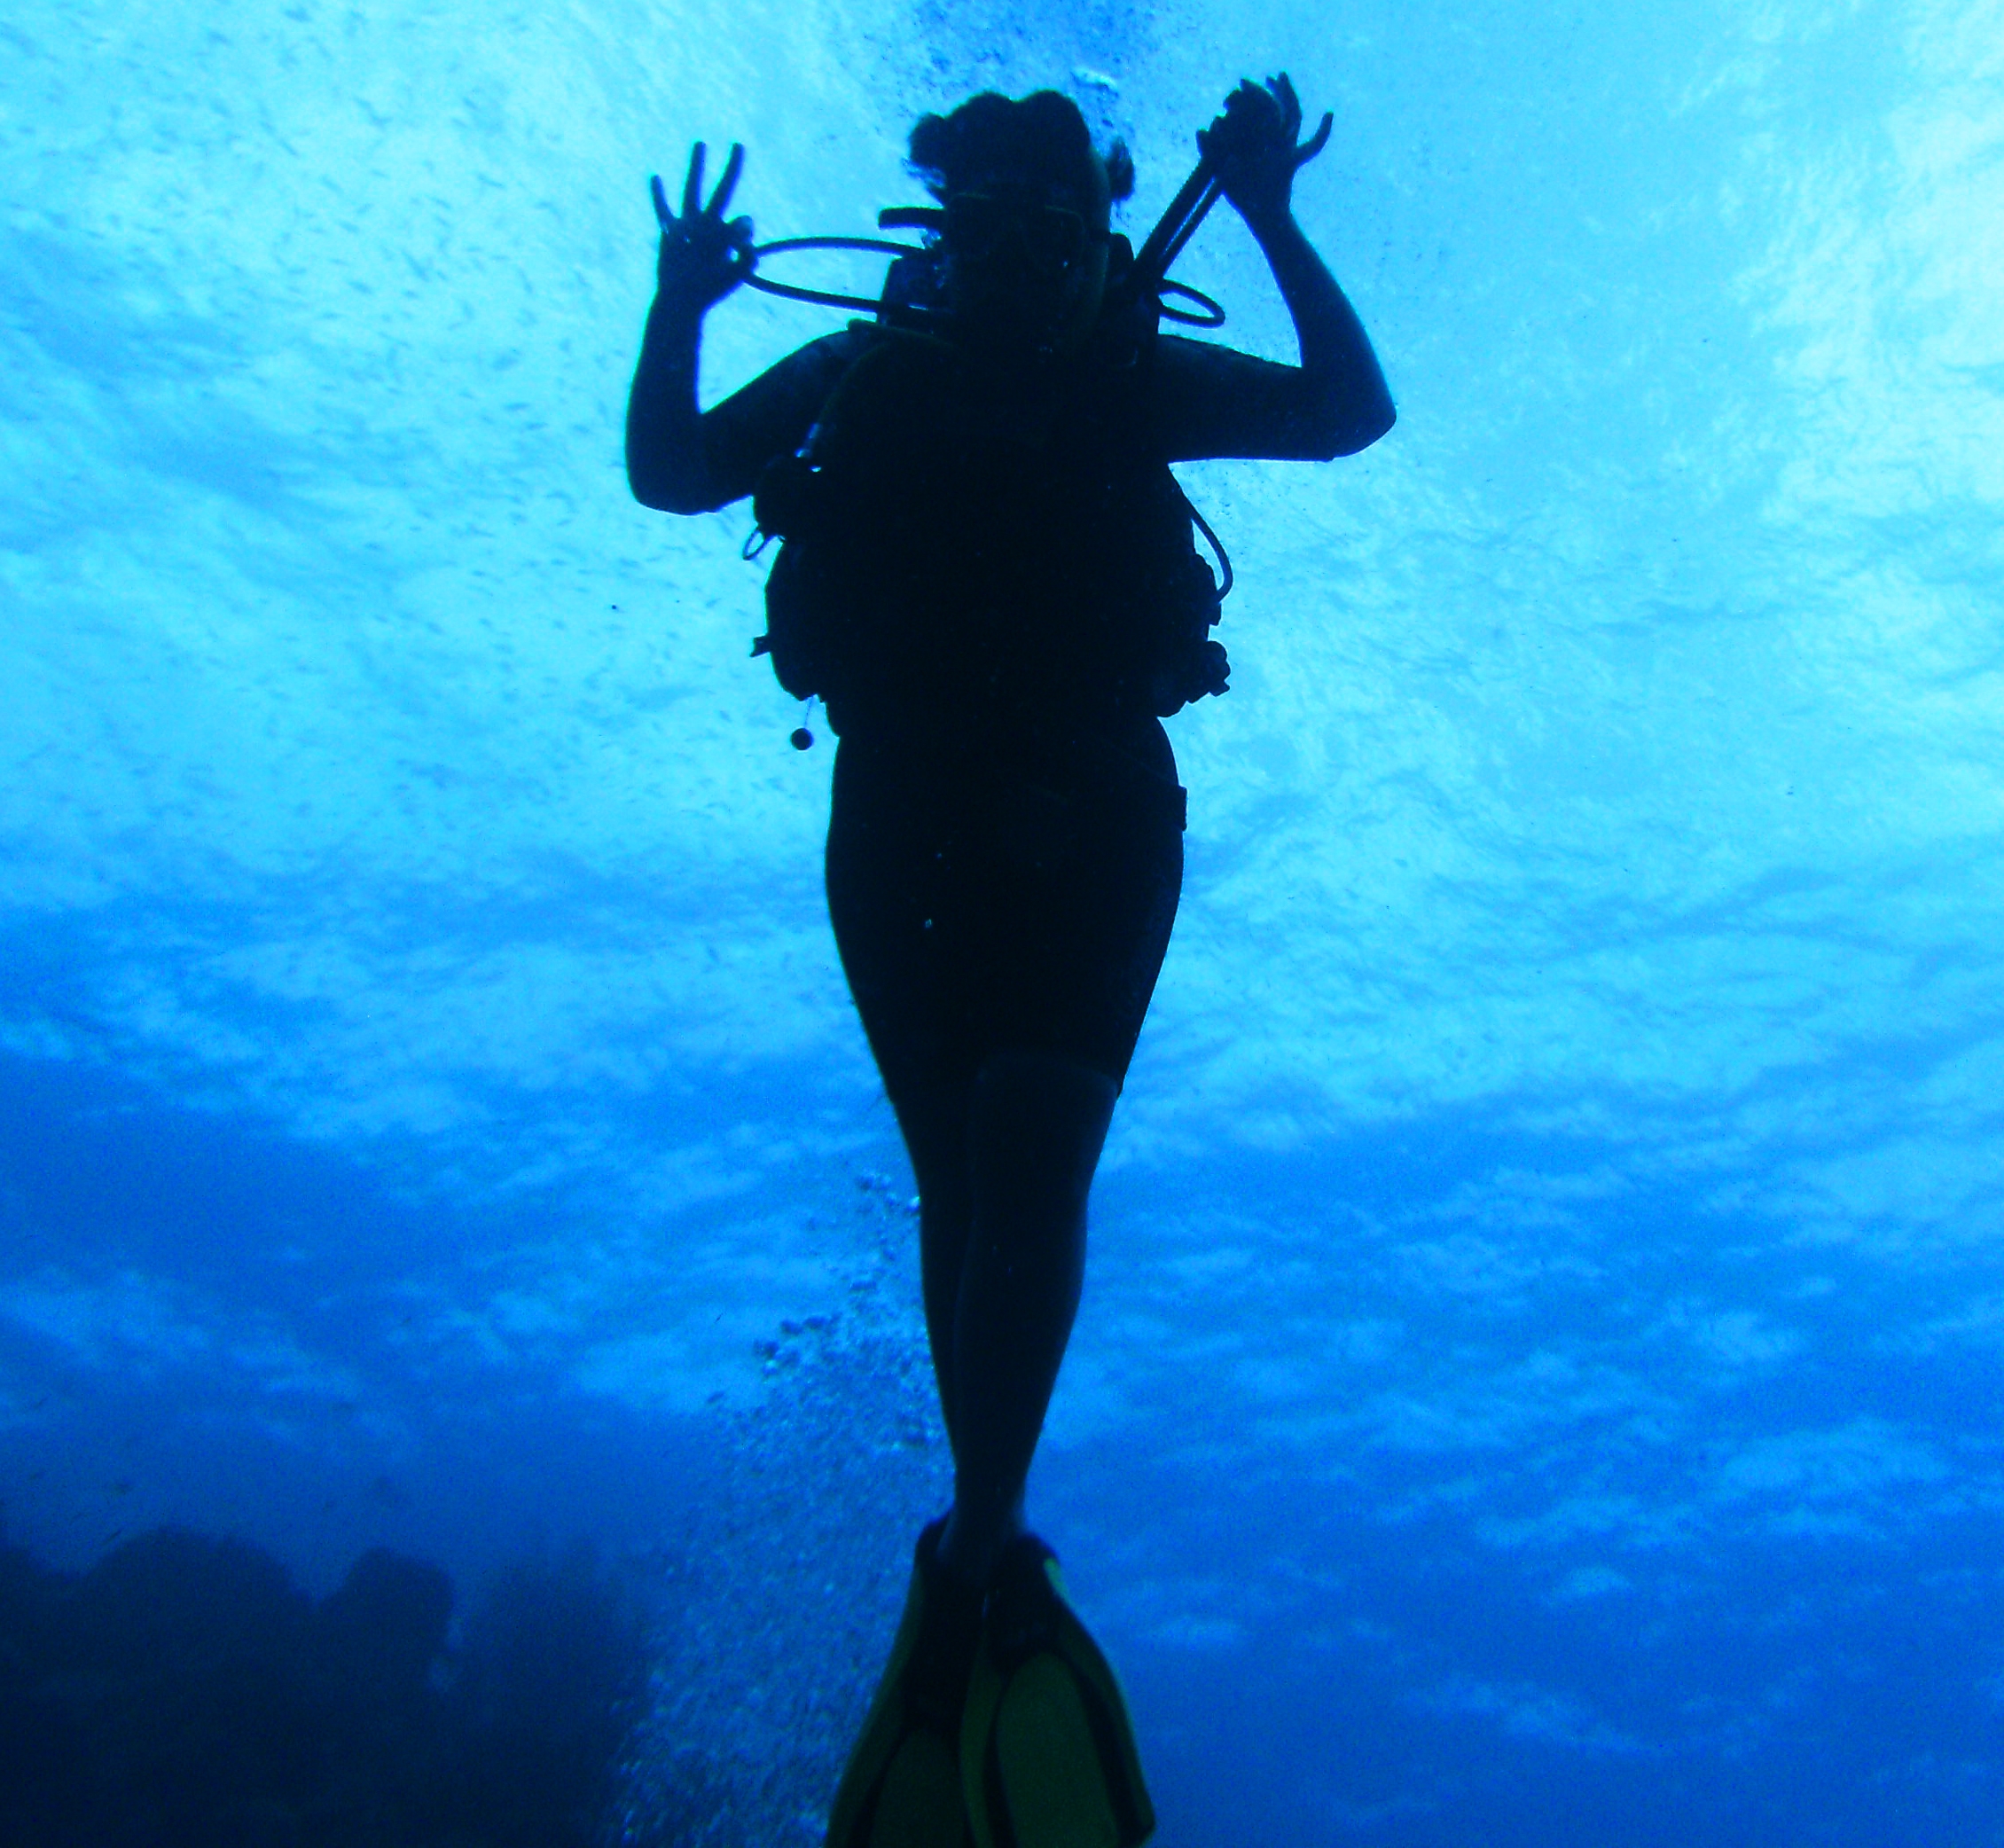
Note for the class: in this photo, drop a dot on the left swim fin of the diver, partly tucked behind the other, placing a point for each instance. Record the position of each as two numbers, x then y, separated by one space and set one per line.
903 1781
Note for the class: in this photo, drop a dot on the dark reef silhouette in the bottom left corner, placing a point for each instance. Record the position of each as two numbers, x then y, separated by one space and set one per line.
187 1695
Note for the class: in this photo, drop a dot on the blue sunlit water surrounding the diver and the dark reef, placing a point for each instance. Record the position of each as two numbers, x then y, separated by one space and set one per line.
1540 1366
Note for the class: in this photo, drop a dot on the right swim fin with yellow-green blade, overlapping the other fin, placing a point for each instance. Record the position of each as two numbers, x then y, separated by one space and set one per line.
1047 1749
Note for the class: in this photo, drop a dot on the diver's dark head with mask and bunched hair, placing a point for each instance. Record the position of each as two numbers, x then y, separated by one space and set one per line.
1027 217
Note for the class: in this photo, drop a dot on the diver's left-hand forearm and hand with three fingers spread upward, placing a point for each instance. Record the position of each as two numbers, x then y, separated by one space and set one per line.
702 262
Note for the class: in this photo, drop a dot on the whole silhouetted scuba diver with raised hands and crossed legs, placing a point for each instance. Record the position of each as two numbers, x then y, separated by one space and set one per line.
995 592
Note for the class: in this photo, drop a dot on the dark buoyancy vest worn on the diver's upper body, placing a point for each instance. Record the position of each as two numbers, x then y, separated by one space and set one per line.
951 536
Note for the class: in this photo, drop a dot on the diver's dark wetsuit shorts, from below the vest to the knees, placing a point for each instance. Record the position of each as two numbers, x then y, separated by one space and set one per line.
1003 899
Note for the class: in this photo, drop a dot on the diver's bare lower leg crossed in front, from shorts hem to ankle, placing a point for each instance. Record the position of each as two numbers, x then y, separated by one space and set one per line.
1035 1135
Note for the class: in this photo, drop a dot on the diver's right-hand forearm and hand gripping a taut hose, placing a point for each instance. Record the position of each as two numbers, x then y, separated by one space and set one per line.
1346 404
